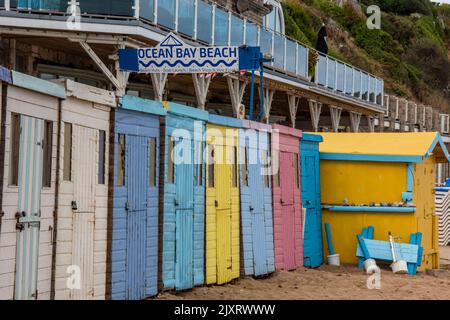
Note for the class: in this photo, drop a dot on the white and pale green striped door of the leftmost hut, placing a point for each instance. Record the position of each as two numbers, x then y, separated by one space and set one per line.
29 207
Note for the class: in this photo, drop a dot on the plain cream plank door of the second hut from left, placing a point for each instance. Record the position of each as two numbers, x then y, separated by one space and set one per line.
84 159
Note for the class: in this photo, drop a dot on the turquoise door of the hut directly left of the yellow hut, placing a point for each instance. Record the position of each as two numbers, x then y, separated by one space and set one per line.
184 211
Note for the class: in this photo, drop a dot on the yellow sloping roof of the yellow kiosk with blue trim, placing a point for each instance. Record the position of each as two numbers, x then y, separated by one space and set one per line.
390 145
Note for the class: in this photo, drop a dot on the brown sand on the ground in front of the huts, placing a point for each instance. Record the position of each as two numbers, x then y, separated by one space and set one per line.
336 283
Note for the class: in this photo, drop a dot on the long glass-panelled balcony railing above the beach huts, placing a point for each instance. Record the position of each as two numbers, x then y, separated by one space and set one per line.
212 25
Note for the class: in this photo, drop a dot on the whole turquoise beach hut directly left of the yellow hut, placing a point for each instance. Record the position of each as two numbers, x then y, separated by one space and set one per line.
183 234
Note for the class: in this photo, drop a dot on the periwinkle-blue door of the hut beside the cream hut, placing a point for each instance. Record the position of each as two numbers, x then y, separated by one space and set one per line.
137 167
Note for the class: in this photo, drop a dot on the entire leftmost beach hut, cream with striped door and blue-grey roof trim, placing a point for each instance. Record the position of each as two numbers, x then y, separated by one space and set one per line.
29 108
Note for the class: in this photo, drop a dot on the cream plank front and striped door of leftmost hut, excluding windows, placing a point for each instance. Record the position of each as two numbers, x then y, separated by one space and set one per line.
32 247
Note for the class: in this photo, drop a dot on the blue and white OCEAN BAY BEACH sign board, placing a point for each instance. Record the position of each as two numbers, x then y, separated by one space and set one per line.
172 55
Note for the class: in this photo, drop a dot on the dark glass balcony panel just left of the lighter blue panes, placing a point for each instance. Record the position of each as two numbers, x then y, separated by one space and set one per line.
107 7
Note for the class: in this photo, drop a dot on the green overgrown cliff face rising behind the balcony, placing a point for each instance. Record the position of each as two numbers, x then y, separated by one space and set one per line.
411 51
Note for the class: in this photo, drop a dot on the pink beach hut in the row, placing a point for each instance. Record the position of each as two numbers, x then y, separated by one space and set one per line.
287 208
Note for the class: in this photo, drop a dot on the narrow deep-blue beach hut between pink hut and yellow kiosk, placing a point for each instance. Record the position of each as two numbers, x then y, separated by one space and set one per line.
310 173
